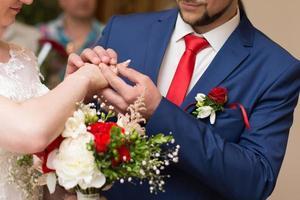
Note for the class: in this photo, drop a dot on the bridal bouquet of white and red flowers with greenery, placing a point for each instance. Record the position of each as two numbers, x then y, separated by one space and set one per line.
93 153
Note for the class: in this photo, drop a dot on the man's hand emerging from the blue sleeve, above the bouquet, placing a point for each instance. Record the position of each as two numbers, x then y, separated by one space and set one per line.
121 95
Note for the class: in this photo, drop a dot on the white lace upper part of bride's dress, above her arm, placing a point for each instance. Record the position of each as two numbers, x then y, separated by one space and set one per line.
20 76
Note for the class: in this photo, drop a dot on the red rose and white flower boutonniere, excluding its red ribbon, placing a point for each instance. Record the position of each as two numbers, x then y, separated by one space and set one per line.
208 106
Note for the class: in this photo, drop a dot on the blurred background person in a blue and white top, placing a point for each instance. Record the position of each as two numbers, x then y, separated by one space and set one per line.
76 28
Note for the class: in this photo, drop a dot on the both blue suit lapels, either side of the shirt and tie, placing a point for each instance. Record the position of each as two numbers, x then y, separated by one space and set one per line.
233 53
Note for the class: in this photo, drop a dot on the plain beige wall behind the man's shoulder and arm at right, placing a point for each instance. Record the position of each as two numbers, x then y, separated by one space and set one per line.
280 21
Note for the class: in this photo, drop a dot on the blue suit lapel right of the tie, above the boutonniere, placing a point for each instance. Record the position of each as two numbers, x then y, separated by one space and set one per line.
233 53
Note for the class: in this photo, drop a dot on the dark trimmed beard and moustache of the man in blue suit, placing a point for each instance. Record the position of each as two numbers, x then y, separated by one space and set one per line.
205 19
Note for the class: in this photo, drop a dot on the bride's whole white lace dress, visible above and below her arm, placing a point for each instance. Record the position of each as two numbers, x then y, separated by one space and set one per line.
19 81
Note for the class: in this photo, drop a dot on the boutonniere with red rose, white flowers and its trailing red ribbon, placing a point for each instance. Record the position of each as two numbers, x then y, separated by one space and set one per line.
208 106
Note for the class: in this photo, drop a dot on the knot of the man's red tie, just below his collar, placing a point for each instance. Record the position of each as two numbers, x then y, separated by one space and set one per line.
194 43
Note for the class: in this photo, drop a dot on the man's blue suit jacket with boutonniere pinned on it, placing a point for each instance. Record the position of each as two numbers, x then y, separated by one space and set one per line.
225 160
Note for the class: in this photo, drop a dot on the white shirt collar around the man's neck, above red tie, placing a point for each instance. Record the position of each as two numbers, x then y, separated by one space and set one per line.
216 37
